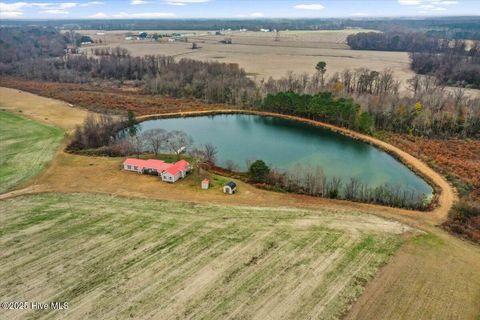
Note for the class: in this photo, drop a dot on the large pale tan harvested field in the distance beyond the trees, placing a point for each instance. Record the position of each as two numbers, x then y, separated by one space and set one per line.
261 56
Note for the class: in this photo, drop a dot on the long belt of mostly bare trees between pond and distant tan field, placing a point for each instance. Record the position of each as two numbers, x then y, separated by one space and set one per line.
352 98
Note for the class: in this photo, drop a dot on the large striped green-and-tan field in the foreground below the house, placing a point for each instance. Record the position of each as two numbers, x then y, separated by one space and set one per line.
116 258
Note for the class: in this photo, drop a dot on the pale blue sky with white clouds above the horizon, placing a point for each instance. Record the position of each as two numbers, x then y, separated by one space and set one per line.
234 9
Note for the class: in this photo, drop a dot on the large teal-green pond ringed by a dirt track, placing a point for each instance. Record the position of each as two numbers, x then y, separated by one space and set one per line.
283 144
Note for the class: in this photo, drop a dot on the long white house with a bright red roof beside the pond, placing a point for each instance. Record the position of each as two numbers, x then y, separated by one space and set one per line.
169 172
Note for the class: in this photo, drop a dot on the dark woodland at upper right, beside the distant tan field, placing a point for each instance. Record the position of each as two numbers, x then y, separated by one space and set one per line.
454 62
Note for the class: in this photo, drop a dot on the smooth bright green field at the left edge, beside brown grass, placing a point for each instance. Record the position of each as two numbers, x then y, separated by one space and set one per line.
25 147
